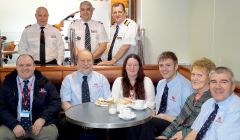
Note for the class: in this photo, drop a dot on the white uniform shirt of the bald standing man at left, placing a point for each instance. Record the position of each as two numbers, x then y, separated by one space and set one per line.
30 43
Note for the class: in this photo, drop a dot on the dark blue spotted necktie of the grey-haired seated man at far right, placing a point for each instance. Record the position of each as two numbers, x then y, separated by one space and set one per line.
207 124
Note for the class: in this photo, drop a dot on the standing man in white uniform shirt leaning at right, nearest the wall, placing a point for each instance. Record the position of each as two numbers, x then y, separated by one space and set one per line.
123 37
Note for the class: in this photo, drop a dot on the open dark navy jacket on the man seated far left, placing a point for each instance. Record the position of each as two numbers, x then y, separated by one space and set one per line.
45 105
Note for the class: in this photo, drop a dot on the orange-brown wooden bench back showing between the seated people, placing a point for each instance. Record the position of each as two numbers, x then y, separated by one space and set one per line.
57 73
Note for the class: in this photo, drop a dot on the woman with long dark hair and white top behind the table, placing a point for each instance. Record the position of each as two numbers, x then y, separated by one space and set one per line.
134 84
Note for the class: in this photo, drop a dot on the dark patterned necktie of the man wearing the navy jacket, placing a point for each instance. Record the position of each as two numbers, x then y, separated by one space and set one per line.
25 121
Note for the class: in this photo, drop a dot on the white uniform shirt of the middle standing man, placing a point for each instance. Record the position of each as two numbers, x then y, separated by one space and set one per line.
98 33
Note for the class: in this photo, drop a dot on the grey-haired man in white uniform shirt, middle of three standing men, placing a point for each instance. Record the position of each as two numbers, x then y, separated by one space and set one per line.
98 35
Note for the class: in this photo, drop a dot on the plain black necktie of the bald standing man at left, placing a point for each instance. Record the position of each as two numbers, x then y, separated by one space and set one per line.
42 47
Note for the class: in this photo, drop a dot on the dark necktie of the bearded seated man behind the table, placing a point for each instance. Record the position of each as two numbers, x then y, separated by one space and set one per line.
85 90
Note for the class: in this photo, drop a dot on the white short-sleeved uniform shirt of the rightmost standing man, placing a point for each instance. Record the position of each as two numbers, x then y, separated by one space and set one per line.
126 35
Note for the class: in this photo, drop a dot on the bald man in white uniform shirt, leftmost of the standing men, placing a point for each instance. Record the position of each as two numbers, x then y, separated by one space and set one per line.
30 40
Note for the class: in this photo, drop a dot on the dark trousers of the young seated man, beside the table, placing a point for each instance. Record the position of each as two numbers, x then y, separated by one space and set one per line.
148 130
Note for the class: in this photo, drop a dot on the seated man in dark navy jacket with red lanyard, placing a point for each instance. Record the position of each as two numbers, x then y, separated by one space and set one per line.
29 103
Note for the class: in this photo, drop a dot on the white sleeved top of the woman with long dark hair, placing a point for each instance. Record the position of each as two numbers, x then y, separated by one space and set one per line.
117 91
